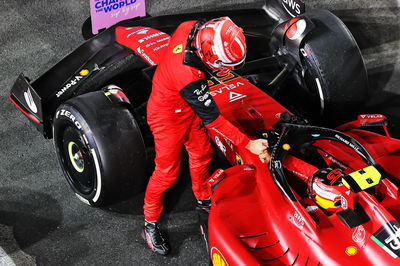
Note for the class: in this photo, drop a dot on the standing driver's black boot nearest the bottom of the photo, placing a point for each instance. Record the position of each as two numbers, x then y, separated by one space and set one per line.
154 238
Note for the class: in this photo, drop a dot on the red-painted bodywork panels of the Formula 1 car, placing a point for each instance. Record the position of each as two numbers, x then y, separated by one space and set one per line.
251 221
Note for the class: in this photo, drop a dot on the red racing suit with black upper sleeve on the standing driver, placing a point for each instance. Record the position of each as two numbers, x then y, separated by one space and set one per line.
178 103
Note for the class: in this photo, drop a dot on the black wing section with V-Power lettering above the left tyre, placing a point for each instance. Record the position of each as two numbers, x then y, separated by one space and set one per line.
39 99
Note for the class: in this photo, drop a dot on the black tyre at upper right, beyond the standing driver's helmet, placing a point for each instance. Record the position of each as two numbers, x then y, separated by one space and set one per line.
335 72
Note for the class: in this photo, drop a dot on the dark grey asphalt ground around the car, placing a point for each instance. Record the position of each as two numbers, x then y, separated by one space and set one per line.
42 222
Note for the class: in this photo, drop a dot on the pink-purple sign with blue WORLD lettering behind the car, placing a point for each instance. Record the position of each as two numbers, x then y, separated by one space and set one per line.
105 13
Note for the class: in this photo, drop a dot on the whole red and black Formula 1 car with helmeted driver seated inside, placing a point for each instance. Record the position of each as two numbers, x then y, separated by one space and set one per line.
327 196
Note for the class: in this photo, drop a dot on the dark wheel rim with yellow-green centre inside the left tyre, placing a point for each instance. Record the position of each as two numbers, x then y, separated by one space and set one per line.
77 161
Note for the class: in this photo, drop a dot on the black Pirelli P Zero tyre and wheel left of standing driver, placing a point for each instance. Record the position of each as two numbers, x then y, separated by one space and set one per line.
100 149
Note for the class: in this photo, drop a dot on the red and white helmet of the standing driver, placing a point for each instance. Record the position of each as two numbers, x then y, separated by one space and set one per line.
221 44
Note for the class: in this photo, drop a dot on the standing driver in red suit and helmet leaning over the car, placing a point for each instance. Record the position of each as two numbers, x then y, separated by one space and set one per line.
180 104
